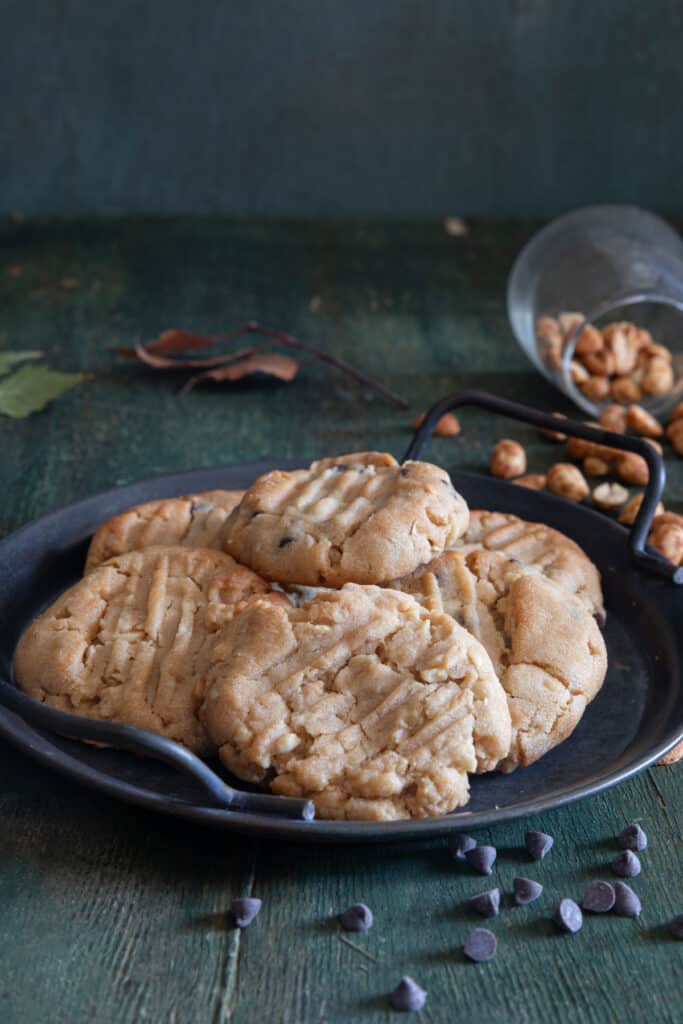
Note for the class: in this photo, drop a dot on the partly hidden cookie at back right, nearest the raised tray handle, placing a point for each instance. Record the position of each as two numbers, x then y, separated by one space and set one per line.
535 544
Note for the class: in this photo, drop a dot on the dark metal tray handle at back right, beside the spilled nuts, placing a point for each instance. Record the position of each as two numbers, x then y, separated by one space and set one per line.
647 559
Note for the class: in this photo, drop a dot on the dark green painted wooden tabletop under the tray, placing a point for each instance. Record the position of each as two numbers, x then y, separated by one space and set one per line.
114 916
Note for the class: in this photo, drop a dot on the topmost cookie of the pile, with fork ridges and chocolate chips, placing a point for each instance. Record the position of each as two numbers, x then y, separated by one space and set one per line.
360 519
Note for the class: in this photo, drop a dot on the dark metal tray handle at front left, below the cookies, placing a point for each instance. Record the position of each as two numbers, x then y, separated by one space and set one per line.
143 742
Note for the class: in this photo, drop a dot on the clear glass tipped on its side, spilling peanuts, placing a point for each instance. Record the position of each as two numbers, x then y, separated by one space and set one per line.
601 266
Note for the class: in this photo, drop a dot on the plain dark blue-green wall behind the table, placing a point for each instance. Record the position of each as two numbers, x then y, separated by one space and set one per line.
337 107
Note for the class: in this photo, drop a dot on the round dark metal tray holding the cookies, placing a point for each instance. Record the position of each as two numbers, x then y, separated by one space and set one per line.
635 719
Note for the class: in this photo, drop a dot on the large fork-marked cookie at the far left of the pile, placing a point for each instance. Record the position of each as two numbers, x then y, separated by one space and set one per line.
132 642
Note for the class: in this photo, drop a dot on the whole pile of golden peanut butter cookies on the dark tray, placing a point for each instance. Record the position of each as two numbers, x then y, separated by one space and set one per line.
350 633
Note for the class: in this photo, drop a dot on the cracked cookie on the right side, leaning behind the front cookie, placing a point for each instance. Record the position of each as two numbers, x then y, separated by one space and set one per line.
545 646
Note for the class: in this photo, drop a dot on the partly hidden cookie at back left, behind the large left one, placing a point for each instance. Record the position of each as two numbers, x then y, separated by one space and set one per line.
194 522
